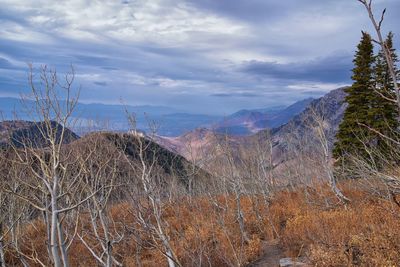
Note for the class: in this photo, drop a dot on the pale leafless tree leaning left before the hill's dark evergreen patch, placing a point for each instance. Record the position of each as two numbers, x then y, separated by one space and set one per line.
149 205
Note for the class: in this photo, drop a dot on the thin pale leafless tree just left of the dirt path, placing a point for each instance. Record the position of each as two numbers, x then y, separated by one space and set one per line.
234 184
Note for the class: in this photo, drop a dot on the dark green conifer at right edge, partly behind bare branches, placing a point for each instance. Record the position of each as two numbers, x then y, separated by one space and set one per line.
385 111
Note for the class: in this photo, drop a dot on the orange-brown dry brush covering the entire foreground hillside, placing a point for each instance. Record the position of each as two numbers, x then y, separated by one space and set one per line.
205 232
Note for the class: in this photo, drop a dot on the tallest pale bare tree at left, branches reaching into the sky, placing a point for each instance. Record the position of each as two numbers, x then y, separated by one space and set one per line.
55 189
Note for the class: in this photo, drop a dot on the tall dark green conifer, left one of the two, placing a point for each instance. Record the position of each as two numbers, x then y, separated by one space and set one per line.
352 135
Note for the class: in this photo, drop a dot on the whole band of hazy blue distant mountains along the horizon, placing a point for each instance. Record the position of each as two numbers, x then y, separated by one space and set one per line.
165 121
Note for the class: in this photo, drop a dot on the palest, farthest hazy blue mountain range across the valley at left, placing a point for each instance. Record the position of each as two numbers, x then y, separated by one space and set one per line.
92 117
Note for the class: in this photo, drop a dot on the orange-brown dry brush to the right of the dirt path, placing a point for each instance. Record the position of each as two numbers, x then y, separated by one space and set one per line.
365 232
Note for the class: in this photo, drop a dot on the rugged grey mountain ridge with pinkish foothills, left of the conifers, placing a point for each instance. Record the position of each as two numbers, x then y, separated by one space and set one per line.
200 143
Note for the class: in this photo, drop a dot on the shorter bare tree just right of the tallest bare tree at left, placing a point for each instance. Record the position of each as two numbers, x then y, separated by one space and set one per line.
100 163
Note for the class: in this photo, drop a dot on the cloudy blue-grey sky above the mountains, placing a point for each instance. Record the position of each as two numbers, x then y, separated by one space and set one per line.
199 56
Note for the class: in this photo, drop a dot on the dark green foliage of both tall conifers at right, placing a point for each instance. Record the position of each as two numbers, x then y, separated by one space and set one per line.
372 112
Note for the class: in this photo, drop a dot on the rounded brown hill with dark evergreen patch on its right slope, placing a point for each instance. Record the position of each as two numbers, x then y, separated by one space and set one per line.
168 167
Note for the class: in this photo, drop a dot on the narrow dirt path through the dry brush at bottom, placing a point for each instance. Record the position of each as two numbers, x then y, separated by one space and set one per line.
272 253
